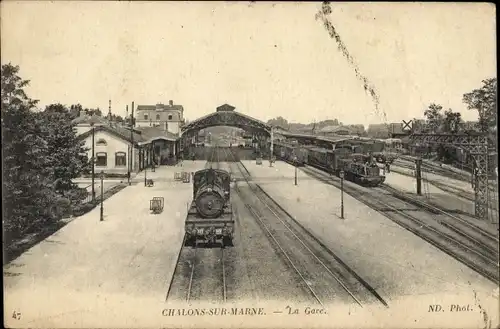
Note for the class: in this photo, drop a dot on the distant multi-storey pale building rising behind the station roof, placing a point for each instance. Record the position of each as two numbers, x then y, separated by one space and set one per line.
166 117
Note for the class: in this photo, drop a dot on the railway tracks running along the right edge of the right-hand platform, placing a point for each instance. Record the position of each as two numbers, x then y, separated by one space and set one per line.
468 243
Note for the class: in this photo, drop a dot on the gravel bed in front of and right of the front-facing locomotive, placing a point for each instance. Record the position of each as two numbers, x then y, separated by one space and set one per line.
255 271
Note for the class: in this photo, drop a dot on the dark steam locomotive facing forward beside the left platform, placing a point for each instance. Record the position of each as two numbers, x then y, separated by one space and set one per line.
210 217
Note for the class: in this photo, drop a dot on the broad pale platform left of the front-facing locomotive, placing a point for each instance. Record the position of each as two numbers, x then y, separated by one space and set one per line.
89 265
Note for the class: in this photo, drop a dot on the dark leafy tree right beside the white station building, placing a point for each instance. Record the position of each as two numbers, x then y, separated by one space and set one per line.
67 155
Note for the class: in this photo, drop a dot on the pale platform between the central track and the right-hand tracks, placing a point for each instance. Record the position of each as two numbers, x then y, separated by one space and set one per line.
398 264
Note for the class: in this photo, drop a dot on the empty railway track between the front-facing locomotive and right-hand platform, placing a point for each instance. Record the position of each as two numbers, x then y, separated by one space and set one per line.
323 274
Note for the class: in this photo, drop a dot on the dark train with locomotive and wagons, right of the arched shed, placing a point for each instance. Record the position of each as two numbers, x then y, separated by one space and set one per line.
357 167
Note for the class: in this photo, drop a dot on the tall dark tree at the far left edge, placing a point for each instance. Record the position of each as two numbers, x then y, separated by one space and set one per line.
26 196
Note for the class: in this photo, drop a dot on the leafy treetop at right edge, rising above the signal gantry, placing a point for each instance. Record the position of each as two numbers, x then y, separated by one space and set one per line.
484 101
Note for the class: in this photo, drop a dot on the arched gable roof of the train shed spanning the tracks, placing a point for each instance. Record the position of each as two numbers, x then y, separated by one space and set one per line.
226 116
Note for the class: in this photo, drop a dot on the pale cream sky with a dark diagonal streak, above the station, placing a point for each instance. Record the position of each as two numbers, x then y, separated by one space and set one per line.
266 59
